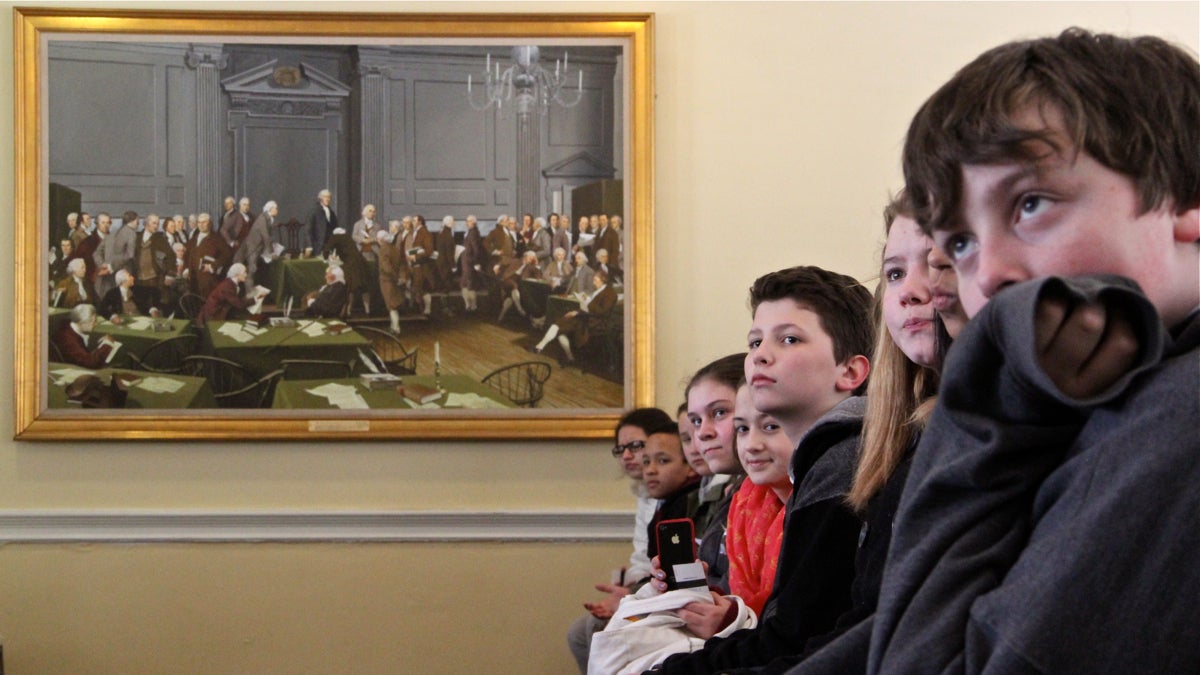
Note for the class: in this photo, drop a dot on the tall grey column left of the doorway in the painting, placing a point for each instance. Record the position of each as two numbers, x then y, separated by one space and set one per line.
208 62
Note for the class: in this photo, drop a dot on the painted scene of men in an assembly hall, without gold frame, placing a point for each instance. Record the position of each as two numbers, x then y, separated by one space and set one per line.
335 228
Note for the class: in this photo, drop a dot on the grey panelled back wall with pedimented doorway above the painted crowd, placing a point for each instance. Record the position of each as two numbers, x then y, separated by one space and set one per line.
176 128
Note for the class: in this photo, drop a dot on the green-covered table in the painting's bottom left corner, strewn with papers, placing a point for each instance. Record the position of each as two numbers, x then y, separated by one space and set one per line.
155 391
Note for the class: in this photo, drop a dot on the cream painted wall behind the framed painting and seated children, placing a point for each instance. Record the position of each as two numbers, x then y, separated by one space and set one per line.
779 128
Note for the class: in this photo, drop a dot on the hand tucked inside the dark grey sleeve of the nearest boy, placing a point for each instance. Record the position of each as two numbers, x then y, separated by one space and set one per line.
1084 349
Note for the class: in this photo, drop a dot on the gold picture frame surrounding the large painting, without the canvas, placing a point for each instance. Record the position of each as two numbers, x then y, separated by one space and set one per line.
38 29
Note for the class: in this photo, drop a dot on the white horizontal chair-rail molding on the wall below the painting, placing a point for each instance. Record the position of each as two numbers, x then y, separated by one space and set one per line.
135 525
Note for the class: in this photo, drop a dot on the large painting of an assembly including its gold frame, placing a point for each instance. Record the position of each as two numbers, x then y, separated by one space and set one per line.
319 226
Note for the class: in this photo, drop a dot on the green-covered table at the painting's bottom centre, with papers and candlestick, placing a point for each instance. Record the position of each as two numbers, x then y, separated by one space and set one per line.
460 392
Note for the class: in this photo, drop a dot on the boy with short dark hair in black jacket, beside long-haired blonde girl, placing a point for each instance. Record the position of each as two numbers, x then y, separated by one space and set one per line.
807 360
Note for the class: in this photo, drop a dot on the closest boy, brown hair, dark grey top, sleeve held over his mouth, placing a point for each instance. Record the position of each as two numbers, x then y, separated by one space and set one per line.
1049 523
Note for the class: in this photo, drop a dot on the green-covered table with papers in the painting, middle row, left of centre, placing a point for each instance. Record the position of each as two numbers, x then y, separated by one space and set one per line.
262 350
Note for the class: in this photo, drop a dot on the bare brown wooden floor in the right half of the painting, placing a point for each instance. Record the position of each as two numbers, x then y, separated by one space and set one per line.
476 345
